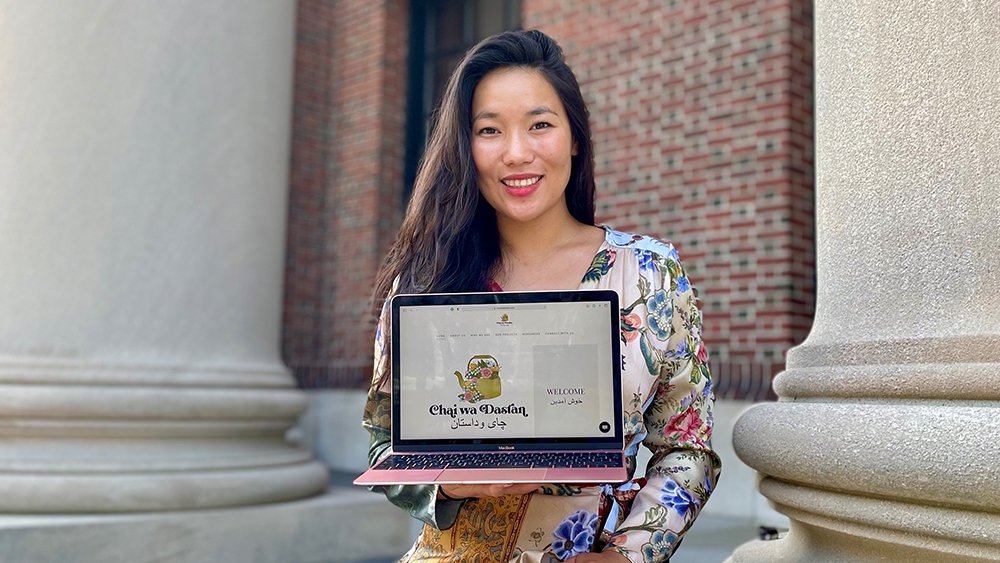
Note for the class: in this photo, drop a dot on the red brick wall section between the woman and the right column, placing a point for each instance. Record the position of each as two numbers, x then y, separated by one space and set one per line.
702 122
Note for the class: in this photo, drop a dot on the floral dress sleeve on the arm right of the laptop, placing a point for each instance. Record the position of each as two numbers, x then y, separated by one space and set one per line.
661 319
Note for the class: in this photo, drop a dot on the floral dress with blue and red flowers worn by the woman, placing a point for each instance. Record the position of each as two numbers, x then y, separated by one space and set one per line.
667 408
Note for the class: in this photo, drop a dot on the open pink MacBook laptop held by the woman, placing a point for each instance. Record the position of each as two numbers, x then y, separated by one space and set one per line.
510 387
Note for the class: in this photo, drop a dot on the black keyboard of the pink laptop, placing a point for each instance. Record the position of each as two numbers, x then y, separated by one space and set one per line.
502 460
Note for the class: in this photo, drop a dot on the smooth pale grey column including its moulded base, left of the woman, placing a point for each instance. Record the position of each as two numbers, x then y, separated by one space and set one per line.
143 187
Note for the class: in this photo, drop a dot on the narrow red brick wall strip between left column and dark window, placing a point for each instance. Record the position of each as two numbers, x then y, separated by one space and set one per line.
345 184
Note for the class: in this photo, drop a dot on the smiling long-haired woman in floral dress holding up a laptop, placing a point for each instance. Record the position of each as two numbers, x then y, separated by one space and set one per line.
505 201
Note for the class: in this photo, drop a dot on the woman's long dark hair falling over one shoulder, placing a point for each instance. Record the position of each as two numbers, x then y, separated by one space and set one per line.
449 240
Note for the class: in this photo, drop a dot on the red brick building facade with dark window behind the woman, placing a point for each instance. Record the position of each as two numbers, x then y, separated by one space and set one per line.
701 116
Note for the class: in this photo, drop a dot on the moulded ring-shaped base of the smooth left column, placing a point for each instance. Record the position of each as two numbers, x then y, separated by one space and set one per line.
81 437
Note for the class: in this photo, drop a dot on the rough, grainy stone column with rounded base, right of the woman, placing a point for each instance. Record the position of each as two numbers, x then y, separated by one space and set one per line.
885 443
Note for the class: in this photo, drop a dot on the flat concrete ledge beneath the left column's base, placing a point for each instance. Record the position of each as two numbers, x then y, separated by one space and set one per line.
334 527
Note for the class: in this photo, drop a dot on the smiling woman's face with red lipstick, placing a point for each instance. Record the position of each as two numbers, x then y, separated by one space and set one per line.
521 145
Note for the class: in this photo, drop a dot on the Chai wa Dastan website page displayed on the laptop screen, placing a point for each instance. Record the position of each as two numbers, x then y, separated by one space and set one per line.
506 371
